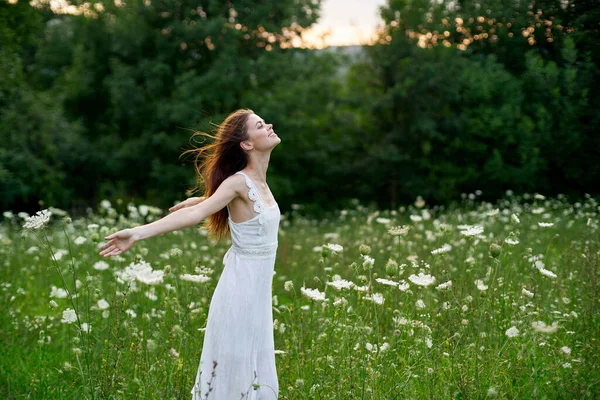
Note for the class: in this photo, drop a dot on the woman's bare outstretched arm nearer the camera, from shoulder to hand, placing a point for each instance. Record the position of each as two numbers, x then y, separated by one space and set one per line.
121 241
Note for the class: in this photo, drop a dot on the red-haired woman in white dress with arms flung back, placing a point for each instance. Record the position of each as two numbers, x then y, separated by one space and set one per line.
238 353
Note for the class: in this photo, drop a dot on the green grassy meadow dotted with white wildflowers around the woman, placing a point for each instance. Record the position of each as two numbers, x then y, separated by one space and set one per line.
476 300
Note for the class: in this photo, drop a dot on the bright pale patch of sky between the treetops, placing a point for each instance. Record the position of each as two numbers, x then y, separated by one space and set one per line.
347 21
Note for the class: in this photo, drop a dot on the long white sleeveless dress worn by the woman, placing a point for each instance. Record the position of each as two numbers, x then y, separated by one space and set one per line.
239 329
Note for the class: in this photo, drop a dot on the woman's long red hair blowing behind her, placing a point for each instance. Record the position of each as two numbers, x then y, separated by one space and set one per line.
217 161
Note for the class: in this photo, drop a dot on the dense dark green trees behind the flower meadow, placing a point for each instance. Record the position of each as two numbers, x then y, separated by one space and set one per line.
455 97
